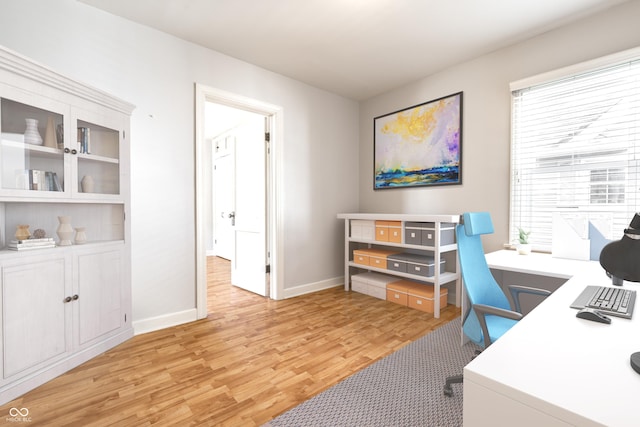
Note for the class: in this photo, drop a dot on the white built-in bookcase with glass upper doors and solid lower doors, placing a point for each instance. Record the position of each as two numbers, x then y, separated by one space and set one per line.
60 305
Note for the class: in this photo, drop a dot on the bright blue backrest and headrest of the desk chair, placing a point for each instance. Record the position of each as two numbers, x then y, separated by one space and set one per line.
479 283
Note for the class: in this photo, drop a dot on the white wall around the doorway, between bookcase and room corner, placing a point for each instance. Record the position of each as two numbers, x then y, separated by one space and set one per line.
157 72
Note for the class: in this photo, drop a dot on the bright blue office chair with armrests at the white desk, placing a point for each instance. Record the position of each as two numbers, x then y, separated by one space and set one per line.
491 314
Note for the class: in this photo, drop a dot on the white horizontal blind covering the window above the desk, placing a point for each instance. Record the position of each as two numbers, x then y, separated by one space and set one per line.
575 151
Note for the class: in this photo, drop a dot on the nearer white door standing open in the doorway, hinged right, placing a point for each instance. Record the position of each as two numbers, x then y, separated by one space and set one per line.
248 265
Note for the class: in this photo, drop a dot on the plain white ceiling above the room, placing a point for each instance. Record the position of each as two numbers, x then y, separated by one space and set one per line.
354 48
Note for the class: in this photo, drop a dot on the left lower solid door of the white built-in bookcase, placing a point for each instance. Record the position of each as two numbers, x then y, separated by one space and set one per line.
35 315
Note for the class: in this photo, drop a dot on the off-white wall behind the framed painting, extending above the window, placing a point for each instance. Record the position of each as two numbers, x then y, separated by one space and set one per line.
486 116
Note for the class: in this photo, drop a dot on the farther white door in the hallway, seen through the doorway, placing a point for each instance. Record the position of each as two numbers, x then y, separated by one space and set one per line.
224 193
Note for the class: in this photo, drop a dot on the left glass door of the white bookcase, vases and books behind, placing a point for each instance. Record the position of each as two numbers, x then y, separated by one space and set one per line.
31 149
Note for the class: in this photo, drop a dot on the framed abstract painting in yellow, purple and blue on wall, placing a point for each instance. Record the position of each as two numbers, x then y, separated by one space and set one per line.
419 146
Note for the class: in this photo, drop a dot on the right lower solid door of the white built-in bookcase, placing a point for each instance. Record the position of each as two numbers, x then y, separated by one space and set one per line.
99 284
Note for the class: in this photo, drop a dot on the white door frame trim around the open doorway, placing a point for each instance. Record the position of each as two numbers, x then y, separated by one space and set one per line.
273 180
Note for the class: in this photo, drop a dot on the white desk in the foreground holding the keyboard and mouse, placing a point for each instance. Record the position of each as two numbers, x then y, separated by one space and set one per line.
544 370
